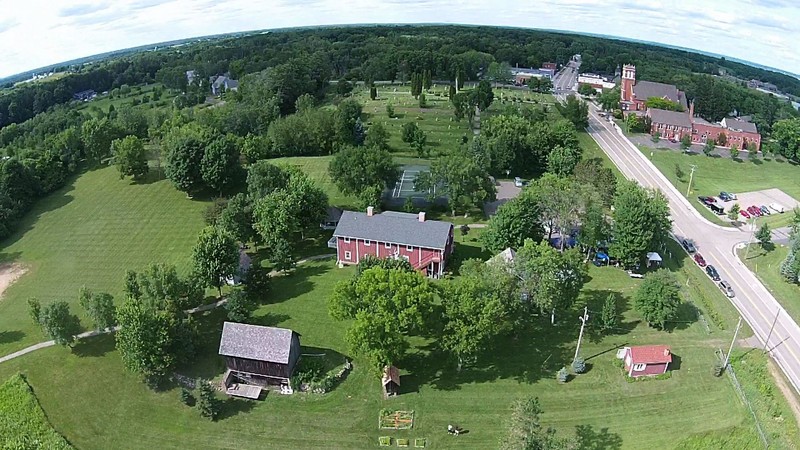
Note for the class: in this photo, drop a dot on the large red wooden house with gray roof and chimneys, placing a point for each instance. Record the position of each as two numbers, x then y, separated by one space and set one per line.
426 244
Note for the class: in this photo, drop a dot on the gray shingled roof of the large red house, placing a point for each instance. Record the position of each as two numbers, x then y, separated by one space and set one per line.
395 228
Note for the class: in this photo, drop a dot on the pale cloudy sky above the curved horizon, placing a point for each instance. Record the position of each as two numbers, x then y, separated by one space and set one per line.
37 33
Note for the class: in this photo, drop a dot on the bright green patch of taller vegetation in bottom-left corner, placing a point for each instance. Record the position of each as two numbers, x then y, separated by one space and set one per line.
22 422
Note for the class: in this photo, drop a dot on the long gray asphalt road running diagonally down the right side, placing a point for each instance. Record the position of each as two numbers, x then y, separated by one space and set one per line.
717 244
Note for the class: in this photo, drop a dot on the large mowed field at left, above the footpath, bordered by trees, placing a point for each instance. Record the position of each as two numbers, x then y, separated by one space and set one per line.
89 233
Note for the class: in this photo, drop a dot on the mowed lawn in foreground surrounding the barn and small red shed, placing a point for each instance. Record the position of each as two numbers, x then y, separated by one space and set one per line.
92 401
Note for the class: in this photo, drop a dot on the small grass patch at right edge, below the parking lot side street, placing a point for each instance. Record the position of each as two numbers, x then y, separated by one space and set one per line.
766 266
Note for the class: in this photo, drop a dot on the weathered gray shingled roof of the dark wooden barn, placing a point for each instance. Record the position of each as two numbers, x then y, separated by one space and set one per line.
270 344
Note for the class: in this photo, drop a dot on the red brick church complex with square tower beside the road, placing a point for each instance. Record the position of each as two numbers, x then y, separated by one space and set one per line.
674 125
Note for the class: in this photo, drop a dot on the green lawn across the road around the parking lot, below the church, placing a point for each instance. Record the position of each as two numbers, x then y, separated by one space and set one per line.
714 175
